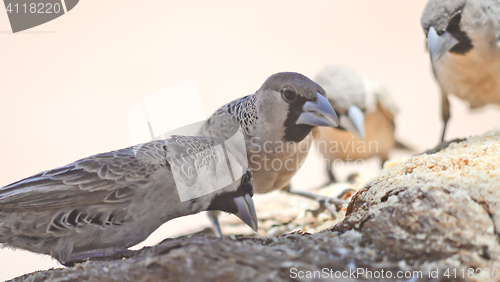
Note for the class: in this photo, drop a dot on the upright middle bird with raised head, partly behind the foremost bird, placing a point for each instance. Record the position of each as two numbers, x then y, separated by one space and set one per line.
276 122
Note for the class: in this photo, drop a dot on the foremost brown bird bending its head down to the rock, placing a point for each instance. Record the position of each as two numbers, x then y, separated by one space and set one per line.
98 206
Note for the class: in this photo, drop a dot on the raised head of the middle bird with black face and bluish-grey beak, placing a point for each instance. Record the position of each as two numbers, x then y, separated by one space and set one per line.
294 104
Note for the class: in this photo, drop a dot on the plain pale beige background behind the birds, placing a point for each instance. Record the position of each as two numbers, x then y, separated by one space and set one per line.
66 86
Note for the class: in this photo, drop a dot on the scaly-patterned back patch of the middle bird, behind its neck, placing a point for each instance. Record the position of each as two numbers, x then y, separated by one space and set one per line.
224 123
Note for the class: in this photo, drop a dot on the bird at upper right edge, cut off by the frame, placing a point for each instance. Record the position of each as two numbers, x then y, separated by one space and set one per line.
463 39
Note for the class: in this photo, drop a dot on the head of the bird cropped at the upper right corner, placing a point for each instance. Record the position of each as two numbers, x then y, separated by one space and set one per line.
447 25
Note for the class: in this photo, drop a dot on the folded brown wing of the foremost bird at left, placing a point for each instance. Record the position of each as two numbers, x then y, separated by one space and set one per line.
111 177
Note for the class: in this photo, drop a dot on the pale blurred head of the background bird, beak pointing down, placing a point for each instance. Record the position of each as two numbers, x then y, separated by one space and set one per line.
347 93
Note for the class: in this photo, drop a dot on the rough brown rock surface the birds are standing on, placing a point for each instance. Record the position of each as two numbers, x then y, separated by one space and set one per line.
429 217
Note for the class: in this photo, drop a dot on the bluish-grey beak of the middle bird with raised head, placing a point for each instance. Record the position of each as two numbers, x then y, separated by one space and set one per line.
318 113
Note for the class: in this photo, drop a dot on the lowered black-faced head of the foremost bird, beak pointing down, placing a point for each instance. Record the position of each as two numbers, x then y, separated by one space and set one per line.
237 199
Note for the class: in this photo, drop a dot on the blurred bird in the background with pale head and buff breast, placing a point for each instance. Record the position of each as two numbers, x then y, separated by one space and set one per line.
365 108
